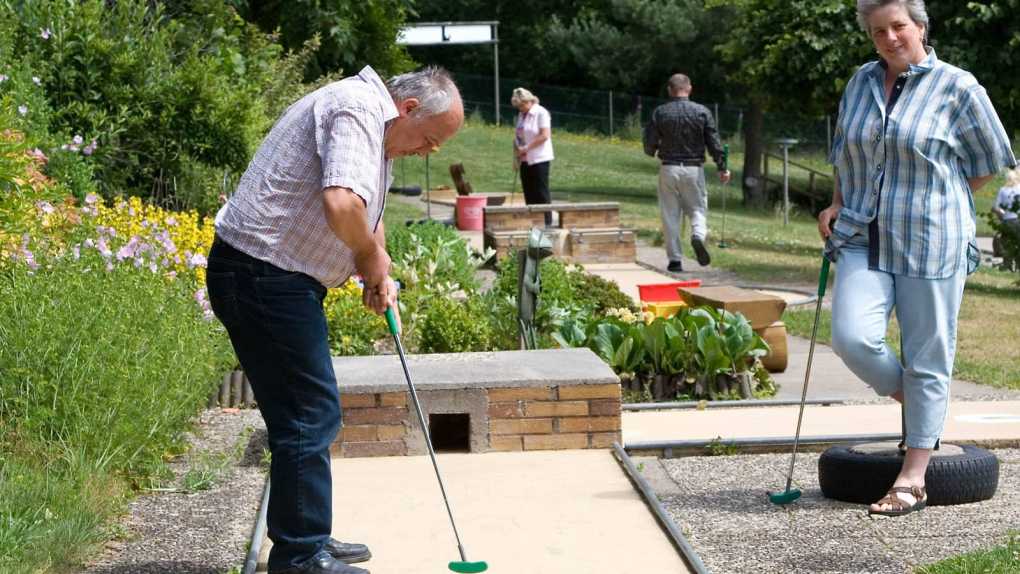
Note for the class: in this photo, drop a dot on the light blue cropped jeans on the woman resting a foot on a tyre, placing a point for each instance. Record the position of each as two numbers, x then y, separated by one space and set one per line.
927 310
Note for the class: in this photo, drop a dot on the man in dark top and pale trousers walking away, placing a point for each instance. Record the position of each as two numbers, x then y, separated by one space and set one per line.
679 133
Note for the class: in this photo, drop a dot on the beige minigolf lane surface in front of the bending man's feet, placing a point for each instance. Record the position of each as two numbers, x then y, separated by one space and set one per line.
535 513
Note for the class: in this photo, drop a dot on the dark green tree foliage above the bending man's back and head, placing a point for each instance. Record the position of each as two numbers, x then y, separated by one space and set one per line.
353 33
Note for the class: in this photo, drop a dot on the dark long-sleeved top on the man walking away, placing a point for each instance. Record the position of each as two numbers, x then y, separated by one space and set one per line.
680 132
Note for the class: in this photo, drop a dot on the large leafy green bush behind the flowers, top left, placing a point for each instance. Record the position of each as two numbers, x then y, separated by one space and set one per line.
158 94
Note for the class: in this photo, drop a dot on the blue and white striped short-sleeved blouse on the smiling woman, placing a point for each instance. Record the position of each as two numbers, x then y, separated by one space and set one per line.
907 171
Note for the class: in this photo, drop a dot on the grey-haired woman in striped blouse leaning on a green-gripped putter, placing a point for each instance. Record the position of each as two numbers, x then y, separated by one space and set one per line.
915 138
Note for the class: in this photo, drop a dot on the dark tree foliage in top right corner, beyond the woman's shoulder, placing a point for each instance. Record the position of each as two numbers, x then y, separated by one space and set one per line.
984 38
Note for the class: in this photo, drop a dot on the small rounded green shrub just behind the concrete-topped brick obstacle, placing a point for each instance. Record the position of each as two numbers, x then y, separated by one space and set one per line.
454 327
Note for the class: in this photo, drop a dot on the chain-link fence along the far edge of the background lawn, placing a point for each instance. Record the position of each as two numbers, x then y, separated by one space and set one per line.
624 115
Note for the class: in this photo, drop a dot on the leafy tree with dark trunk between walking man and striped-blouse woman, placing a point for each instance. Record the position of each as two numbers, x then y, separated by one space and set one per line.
791 56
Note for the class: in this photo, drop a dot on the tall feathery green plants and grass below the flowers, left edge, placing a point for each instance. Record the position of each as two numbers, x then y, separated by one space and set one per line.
100 375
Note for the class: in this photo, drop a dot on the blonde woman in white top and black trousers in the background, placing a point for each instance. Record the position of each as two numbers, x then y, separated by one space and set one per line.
533 147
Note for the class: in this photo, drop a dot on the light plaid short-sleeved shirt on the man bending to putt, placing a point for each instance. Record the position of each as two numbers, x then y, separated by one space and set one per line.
331 138
